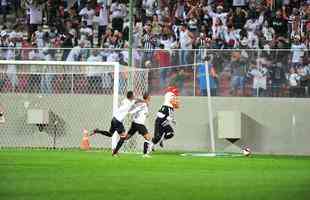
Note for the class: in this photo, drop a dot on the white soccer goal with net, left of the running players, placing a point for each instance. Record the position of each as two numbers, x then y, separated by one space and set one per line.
49 103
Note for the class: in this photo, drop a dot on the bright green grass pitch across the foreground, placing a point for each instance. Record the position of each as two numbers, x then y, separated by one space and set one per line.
77 175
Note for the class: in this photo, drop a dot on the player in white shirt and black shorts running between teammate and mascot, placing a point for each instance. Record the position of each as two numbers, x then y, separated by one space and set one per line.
138 125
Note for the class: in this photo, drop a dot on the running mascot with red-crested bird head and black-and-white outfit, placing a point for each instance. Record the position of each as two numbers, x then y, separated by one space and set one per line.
165 117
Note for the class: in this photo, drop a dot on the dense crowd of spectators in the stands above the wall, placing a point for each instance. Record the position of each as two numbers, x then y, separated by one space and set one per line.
171 33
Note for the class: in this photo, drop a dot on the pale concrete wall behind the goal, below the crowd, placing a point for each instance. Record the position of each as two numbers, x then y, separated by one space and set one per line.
276 126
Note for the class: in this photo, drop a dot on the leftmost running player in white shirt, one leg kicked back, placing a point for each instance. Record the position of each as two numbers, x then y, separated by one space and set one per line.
118 118
